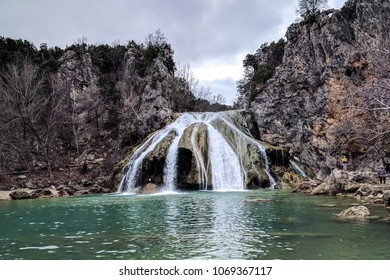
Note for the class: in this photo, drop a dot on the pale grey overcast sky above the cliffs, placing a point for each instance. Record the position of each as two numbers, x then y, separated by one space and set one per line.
212 36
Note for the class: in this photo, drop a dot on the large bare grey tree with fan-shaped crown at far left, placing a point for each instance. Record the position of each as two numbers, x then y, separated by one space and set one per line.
29 102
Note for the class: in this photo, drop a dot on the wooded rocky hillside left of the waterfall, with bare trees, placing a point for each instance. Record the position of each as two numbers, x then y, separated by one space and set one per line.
67 116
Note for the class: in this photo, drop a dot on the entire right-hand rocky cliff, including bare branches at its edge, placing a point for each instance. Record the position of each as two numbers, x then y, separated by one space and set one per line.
320 101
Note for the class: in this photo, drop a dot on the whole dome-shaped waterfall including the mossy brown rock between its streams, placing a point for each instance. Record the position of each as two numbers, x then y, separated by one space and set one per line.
208 150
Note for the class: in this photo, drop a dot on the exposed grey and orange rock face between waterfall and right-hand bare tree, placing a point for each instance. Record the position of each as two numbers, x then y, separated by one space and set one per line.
325 60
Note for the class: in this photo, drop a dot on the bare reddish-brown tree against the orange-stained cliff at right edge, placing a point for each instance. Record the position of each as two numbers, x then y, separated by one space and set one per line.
367 104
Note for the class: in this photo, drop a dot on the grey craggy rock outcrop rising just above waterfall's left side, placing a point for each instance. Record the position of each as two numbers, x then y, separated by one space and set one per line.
147 103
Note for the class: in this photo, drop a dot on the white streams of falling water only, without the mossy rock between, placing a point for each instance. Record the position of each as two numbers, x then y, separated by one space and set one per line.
225 158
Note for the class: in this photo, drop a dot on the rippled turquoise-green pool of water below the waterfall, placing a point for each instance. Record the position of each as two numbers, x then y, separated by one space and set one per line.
195 225
